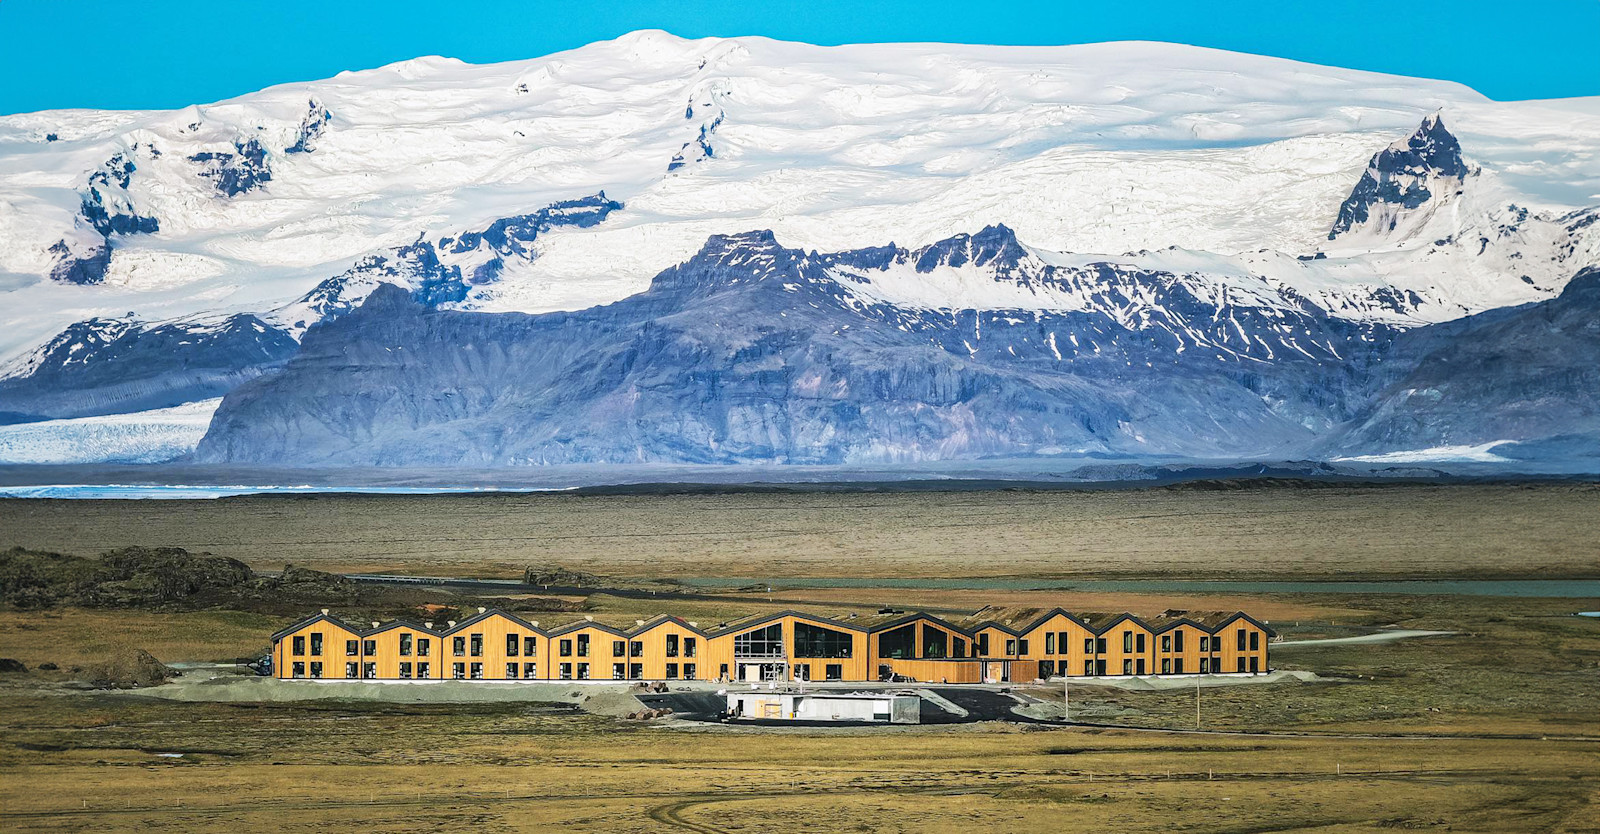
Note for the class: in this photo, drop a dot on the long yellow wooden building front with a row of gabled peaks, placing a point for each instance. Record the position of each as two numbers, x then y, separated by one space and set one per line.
993 646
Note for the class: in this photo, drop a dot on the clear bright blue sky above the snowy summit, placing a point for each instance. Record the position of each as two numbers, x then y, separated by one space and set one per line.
170 54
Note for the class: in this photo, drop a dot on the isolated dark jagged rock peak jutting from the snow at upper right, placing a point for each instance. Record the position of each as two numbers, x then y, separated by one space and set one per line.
1402 178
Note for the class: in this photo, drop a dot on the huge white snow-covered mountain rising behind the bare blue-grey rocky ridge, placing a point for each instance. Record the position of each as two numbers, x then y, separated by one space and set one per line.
1060 202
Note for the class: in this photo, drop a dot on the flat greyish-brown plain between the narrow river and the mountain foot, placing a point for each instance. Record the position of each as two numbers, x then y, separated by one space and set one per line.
1258 534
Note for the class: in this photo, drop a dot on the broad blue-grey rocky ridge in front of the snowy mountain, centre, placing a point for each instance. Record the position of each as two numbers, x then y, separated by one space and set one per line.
758 353
